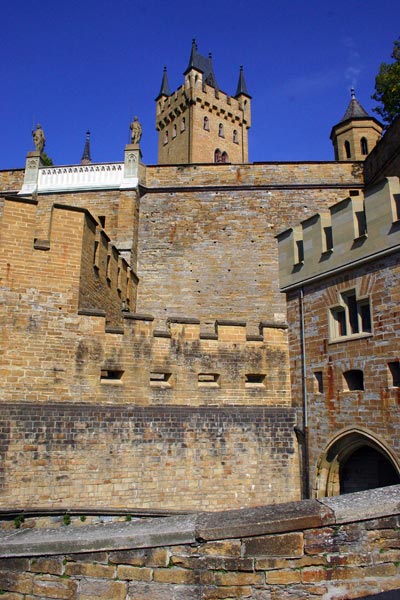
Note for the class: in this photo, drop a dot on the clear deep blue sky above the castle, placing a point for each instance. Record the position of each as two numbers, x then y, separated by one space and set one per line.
74 66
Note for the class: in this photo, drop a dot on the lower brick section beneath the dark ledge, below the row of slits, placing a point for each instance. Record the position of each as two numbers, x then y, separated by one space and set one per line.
146 457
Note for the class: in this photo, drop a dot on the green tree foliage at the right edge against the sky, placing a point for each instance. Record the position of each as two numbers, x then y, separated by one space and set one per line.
387 87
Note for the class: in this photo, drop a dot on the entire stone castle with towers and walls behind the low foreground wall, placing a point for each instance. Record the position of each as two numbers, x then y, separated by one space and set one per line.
151 358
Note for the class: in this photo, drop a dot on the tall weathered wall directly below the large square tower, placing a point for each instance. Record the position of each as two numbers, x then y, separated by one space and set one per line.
206 234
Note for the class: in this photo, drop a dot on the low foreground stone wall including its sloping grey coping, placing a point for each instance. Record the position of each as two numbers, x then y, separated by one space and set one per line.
337 548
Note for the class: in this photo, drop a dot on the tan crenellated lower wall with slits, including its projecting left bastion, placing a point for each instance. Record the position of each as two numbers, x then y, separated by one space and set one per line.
105 407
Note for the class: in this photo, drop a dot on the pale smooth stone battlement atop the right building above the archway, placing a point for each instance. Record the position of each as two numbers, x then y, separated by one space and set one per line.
354 230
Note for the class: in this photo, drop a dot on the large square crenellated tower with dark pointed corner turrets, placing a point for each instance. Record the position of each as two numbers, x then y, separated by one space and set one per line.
199 123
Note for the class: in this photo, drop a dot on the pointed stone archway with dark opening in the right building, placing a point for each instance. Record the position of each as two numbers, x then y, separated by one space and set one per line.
355 460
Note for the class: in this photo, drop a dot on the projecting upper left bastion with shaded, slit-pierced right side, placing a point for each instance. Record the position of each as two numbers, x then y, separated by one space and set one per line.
60 254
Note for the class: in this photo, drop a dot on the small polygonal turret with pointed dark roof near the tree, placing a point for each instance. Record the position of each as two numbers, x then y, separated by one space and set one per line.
356 134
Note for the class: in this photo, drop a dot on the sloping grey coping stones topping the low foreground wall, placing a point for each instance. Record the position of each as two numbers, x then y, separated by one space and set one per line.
191 528
